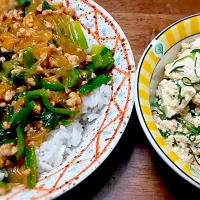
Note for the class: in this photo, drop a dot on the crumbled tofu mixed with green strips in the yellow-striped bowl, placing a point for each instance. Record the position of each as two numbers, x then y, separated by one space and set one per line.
176 109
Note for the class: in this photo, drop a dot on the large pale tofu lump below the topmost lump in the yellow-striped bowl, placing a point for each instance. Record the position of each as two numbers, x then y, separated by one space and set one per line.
168 93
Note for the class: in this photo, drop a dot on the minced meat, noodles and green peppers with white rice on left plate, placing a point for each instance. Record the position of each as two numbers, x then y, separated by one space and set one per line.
50 87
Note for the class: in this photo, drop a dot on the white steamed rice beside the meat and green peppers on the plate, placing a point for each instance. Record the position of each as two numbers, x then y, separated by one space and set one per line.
64 140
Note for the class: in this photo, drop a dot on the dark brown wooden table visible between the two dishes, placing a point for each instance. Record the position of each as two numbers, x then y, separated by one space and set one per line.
134 170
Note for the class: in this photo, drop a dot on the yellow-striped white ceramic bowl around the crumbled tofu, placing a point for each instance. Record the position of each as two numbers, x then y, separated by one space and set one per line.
162 50
